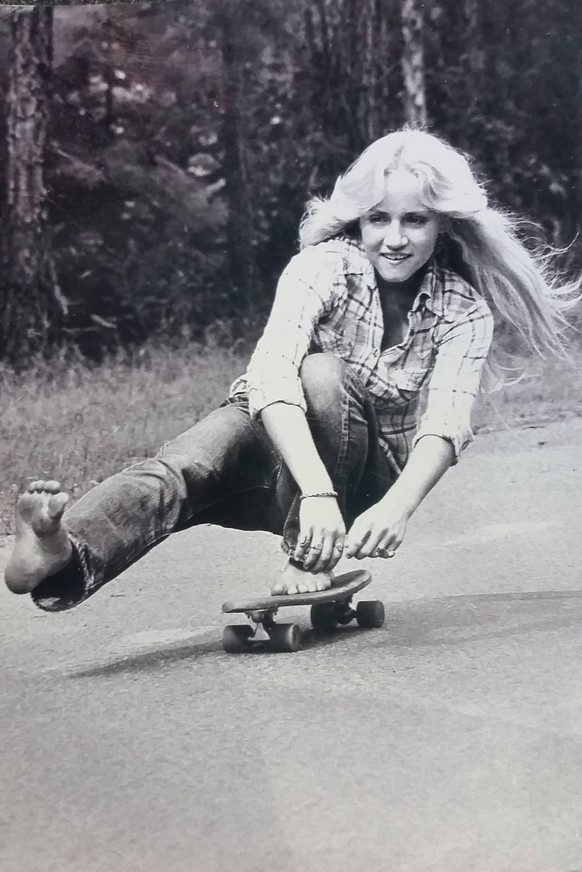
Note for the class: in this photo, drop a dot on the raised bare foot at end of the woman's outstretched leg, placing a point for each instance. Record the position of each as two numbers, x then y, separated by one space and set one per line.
42 546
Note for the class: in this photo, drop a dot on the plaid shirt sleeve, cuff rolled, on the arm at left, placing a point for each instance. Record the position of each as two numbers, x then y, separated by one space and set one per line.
307 290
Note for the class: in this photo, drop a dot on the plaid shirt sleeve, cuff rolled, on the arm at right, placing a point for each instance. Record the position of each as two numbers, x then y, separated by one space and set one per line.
462 348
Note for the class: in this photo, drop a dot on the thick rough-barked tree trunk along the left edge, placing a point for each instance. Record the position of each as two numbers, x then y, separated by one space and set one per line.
31 302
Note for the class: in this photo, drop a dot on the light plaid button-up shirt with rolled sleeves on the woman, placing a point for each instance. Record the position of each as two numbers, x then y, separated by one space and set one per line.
328 300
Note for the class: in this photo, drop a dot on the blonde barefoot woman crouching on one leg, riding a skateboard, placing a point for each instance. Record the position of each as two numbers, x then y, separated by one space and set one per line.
399 278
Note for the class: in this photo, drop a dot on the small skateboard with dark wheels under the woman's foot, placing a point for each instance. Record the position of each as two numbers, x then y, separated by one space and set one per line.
329 609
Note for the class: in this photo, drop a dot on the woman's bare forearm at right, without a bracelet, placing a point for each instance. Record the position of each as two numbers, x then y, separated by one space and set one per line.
428 462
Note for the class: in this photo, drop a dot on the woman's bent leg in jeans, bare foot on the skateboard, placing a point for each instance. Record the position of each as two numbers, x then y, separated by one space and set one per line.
345 431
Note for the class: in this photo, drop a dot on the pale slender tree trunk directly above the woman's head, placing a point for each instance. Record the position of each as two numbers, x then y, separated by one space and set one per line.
413 62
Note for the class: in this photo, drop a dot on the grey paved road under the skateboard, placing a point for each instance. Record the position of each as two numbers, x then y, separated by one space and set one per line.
448 741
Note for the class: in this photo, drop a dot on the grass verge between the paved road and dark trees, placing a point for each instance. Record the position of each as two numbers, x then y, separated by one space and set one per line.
79 424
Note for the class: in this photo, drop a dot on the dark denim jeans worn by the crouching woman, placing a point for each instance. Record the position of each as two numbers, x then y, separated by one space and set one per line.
224 470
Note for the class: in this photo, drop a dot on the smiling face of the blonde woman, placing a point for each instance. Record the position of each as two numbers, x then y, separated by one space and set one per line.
399 235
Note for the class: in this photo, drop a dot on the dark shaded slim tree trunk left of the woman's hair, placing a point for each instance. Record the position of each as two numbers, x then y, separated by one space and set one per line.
241 257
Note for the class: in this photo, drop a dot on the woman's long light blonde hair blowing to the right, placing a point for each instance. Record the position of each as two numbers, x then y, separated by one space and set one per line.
480 242
